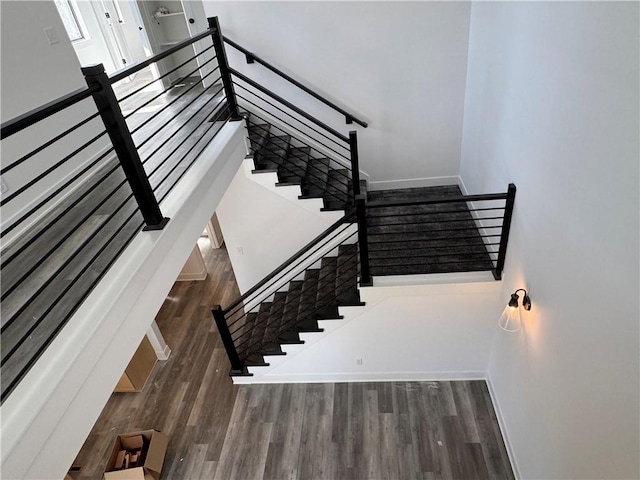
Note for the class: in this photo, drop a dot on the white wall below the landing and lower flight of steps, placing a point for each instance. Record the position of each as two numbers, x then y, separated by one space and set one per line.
420 332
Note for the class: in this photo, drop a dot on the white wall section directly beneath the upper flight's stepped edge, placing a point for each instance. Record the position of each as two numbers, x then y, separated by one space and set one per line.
262 227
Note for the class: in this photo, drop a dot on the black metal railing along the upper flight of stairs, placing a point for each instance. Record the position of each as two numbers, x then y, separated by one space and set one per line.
322 141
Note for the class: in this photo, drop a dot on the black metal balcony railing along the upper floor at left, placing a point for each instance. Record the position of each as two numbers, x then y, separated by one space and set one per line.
124 153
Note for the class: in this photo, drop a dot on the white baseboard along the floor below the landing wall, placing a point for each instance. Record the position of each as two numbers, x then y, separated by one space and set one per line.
362 377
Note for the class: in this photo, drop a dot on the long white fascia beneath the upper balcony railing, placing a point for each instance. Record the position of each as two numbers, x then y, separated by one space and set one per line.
48 416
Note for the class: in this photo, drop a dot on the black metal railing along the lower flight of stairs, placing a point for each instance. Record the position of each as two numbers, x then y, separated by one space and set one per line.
239 322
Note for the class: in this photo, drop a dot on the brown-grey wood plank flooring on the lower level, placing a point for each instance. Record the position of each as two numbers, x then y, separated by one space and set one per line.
346 431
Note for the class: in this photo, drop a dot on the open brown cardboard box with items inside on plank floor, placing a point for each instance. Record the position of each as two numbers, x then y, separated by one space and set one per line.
153 447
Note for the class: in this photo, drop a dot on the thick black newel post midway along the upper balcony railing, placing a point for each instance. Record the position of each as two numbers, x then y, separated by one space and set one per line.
124 147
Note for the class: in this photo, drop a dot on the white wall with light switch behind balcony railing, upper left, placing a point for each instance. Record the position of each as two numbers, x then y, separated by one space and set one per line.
34 73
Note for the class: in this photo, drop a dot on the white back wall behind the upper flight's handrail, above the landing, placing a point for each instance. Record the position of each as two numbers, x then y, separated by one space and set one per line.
399 65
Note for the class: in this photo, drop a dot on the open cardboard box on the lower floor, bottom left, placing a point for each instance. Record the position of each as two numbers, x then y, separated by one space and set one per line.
152 467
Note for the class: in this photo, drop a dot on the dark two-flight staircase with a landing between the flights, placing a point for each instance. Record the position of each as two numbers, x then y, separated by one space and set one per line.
413 231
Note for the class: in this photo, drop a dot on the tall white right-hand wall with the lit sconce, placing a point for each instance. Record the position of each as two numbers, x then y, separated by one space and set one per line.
552 105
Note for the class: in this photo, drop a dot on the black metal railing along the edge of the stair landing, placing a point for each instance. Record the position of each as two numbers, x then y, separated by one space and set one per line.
439 235
